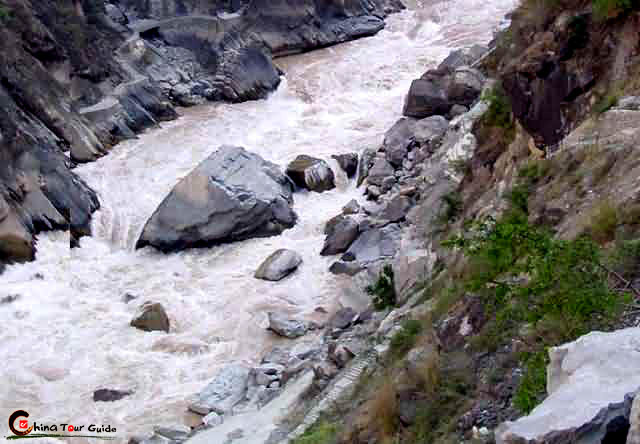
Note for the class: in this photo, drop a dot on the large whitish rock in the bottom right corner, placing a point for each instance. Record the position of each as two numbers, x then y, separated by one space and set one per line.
591 383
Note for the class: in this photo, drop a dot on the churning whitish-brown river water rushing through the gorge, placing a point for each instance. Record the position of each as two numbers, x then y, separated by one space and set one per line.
68 334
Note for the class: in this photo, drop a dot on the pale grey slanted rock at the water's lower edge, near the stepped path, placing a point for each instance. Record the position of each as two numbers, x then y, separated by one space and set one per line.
226 389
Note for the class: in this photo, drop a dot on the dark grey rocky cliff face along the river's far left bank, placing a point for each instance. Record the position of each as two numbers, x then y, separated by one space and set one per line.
78 76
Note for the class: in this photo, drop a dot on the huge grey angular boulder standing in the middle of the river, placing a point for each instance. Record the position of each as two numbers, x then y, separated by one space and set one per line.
232 195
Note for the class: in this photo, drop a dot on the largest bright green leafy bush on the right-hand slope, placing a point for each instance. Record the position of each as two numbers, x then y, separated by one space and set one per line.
559 288
